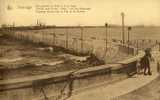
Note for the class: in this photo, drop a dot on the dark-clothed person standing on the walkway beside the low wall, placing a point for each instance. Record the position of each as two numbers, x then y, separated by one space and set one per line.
145 61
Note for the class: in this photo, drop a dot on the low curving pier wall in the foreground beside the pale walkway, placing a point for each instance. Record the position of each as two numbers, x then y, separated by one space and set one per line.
60 85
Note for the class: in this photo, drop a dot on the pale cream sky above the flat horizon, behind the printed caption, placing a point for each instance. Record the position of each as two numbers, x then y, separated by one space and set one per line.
137 12
